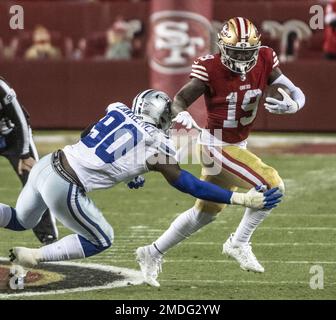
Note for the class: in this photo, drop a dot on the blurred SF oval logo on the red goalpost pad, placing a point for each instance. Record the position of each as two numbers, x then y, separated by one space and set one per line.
177 38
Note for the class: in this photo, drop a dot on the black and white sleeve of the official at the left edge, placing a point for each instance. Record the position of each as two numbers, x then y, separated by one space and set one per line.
15 113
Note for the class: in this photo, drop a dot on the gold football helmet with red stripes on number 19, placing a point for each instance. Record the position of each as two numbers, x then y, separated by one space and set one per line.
239 43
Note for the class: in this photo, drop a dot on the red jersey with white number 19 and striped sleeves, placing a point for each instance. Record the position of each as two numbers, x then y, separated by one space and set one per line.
232 104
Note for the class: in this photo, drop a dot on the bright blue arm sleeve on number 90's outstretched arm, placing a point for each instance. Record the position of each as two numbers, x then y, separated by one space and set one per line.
187 183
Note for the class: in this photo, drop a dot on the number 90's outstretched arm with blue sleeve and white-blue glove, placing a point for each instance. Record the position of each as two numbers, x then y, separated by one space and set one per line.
187 183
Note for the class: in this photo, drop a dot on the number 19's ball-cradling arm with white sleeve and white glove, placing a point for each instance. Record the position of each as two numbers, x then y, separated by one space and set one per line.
290 103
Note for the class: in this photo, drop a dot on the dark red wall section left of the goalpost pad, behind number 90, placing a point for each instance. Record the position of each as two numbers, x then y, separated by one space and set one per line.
62 94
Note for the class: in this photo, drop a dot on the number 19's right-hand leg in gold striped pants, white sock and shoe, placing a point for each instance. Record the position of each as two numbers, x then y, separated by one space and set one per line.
246 170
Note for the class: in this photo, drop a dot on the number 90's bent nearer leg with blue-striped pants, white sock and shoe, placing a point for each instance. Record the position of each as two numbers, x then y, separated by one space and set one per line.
92 233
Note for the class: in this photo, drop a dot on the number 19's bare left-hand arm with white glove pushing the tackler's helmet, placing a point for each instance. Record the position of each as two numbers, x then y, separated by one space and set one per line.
189 93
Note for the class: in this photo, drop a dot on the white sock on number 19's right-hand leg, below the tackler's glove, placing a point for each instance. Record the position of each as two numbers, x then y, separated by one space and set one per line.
251 220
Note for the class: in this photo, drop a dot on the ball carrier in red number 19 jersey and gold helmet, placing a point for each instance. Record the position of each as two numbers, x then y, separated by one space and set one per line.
232 83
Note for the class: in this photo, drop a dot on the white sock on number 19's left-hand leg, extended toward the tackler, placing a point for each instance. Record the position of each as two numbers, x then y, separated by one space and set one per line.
181 228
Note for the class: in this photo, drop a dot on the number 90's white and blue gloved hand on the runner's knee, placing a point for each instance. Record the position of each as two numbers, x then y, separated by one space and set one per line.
256 199
